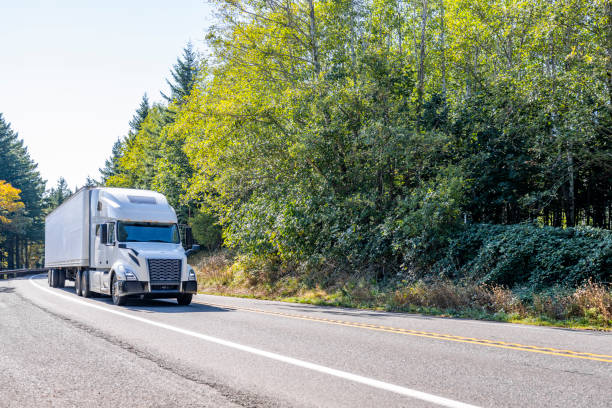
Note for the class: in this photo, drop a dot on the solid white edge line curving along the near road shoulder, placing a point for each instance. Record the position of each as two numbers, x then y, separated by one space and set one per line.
445 402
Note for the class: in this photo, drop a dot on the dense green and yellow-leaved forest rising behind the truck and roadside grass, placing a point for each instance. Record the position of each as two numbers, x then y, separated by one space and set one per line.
388 141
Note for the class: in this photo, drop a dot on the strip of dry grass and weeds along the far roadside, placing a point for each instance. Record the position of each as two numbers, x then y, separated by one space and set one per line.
223 273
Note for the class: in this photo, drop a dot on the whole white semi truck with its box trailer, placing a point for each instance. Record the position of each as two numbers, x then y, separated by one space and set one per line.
118 242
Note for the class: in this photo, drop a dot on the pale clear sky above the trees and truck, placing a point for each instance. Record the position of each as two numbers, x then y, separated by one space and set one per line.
72 73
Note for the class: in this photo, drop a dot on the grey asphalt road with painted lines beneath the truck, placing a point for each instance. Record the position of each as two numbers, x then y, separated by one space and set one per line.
57 349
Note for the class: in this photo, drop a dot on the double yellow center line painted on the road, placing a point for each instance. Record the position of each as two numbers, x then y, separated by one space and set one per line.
431 335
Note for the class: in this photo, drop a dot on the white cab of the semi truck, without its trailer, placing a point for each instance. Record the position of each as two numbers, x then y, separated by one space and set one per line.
136 247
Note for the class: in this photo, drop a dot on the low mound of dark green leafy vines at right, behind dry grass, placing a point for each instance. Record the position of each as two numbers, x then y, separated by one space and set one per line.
527 254
